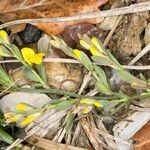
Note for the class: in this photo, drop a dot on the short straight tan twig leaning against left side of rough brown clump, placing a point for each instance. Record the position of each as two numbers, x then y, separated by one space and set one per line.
112 31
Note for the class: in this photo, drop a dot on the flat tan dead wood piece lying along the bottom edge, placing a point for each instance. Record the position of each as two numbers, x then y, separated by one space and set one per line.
47 144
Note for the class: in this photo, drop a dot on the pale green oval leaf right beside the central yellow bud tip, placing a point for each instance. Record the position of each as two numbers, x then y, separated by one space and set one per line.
86 61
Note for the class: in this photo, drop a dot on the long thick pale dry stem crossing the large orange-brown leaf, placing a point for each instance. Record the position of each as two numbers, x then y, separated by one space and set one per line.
112 12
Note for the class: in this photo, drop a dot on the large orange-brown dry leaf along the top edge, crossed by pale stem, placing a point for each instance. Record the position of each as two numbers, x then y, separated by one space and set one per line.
25 9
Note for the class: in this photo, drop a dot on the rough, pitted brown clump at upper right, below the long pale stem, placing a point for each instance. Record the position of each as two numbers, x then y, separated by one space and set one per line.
127 37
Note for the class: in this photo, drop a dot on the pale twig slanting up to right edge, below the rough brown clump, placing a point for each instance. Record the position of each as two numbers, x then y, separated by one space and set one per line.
143 52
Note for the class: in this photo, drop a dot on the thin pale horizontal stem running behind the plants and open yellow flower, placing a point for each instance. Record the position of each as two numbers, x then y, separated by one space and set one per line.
73 61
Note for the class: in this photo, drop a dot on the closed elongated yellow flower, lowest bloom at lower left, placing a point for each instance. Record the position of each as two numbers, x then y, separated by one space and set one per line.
30 118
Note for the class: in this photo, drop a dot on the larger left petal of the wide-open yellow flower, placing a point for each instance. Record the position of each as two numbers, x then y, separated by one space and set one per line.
27 54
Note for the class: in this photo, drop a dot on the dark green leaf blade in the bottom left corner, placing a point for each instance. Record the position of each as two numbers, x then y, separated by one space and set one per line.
5 137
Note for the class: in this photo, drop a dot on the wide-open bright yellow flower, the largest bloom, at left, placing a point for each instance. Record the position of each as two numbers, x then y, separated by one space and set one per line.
31 57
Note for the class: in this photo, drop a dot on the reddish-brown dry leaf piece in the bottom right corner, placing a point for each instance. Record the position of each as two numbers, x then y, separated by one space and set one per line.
142 138
